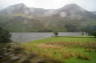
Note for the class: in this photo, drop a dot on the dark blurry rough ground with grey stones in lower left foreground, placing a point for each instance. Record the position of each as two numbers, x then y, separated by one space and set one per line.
15 53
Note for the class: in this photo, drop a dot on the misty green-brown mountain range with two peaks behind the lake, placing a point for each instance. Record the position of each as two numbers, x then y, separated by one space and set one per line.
68 18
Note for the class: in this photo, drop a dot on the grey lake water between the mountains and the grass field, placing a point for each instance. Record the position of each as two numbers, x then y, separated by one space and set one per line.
26 37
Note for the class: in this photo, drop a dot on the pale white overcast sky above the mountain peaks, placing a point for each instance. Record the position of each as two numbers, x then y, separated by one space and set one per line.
89 5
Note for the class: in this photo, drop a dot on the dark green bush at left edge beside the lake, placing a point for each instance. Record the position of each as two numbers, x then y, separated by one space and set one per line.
4 35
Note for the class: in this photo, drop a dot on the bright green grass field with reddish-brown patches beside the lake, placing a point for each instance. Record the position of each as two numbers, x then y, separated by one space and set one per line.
65 49
